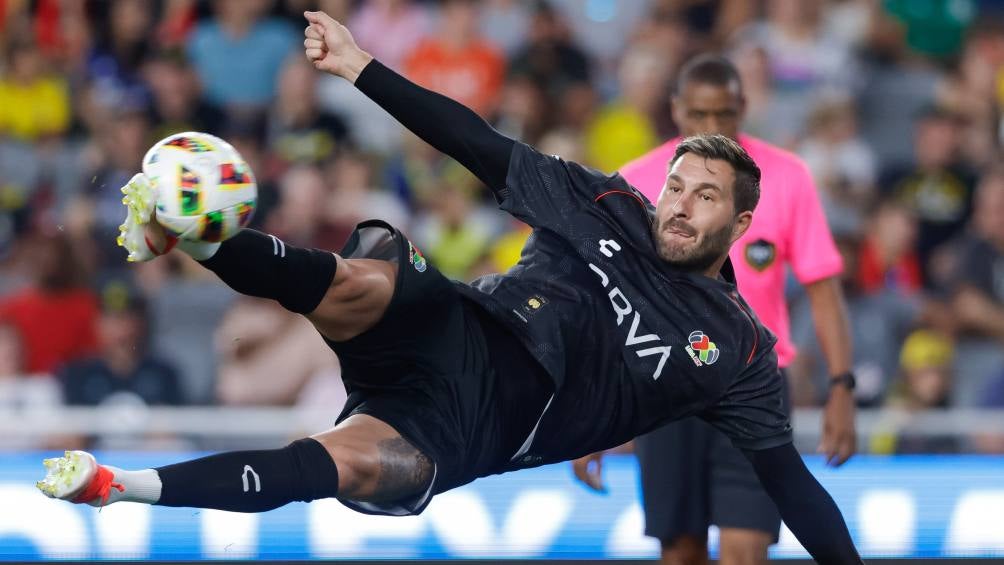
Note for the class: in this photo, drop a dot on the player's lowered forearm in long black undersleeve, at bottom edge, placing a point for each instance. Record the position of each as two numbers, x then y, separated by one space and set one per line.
806 507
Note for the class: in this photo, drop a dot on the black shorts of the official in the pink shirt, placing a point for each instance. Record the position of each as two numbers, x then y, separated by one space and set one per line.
693 477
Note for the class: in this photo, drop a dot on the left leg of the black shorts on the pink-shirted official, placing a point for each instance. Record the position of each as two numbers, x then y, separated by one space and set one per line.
674 466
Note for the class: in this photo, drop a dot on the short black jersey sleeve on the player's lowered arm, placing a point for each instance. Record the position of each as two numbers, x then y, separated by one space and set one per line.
754 410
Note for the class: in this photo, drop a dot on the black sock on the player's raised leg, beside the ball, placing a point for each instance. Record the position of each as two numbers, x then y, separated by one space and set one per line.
262 265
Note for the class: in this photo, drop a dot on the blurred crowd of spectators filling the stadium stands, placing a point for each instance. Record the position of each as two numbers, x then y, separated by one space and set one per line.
895 106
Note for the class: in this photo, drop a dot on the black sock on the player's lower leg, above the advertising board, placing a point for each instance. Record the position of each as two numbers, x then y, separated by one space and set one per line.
254 481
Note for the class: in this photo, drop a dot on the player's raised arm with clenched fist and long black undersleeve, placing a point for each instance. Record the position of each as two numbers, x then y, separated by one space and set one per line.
444 124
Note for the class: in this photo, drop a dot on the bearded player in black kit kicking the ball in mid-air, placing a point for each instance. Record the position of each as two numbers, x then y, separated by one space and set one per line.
615 322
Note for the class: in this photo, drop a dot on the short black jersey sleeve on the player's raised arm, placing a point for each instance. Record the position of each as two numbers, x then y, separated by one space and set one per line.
544 191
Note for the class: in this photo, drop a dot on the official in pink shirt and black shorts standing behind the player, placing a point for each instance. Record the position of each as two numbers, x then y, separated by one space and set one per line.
692 477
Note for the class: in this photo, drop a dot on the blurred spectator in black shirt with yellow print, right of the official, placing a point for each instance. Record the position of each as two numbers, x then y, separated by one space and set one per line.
936 186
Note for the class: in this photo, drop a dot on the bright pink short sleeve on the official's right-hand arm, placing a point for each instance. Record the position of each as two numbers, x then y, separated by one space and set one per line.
813 254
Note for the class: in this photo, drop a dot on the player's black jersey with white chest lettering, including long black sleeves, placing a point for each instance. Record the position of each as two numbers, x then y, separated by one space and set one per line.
629 342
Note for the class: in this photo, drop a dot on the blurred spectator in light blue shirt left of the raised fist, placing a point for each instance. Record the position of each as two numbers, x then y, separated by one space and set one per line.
238 55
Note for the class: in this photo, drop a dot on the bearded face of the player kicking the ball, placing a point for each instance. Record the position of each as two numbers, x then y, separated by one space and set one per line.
695 218
